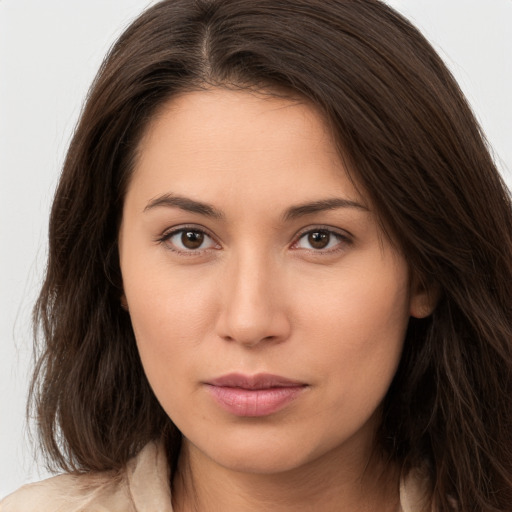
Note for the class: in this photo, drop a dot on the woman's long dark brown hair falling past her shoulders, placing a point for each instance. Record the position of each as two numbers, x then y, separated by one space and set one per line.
412 143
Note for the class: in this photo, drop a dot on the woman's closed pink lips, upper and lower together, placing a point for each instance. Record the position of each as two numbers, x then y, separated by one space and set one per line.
256 395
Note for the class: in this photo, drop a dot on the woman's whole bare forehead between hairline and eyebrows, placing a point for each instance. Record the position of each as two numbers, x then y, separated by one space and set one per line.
211 141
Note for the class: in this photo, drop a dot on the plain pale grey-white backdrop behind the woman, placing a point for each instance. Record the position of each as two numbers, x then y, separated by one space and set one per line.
49 54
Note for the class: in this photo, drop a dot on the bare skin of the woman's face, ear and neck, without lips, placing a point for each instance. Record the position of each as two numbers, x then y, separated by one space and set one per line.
256 296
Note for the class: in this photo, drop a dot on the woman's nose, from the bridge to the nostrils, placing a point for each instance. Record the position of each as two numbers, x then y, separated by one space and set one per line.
253 306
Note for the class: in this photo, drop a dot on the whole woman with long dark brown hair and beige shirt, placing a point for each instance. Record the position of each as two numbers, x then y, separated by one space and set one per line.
279 270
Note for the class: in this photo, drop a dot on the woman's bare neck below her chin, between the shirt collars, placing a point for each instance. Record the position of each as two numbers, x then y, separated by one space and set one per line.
201 485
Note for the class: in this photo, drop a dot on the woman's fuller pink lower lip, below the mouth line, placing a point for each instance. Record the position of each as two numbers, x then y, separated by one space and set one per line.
254 402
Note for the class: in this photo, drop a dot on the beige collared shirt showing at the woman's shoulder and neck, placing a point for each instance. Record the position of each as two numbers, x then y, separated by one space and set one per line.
142 487
